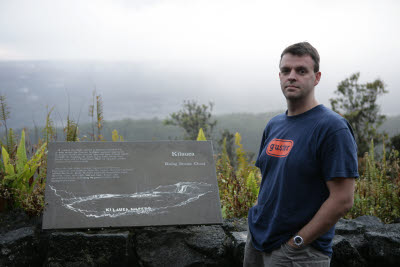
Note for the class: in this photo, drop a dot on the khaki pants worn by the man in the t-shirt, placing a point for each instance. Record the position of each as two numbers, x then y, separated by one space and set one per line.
285 256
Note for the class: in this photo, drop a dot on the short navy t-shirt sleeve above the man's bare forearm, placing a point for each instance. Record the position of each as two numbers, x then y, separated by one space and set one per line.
338 154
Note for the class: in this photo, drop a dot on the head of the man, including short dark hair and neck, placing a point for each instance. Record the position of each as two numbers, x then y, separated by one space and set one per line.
299 72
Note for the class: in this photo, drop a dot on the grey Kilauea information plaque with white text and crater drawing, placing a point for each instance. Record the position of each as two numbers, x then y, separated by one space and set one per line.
121 184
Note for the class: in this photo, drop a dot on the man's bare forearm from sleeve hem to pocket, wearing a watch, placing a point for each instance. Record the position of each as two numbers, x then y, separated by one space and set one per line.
339 202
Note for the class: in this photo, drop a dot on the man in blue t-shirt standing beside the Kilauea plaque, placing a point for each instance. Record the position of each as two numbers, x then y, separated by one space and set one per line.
308 162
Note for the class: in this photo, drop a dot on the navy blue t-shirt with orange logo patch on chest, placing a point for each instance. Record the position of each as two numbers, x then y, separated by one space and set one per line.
298 154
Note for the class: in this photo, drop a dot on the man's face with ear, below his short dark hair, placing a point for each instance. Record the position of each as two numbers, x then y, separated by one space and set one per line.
297 76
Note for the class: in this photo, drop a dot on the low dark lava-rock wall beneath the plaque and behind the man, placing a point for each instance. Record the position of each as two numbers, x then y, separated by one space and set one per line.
365 241
